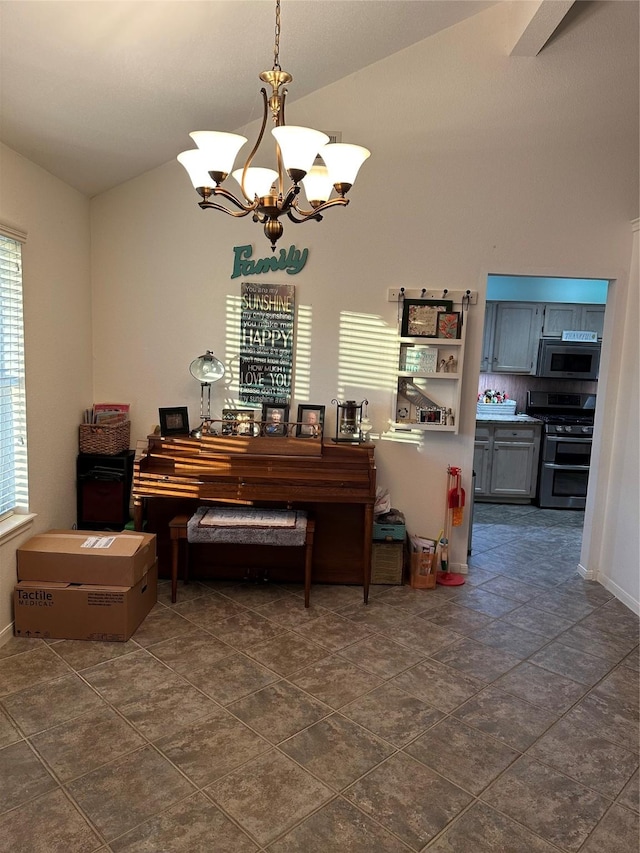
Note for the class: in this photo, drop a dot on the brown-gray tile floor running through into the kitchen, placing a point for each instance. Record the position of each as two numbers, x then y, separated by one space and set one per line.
497 716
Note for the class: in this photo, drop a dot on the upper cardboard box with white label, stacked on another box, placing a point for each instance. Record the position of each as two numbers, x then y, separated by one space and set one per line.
87 557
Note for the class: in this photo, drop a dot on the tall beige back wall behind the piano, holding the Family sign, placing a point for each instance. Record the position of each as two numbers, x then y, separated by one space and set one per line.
481 164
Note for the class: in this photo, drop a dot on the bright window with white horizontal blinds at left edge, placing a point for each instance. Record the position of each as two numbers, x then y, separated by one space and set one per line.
13 422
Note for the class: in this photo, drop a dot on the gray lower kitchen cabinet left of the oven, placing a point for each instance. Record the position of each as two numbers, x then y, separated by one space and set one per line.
506 461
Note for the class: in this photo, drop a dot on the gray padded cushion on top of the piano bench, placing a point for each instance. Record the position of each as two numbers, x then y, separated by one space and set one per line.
248 526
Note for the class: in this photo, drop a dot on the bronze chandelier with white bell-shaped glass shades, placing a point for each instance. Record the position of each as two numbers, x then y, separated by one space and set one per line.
263 190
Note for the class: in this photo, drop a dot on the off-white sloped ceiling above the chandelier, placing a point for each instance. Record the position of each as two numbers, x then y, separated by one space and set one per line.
99 92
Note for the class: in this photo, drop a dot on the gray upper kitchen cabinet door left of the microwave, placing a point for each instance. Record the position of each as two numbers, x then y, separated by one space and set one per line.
517 331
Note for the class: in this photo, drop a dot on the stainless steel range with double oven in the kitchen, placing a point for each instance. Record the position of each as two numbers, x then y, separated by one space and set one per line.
565 456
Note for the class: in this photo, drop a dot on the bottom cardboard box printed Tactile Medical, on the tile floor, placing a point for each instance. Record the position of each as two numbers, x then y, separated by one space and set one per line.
66 611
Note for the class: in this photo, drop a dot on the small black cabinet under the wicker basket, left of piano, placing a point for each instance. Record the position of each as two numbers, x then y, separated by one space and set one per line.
103 486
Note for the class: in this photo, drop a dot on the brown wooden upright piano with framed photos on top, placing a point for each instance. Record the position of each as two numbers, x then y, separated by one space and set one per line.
335 482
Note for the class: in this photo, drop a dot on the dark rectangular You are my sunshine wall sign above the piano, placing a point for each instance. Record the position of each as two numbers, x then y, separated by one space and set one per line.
266 342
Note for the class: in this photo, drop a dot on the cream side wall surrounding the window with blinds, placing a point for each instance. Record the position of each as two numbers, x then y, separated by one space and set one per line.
57 318
